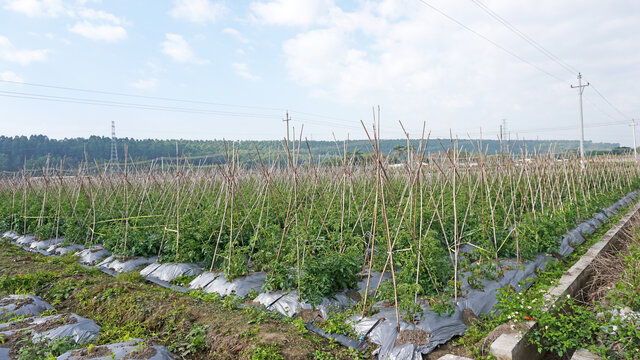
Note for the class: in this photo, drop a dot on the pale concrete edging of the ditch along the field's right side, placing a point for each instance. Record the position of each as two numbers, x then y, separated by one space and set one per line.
514 346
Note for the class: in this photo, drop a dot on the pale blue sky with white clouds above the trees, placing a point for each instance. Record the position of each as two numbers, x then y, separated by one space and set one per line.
211 69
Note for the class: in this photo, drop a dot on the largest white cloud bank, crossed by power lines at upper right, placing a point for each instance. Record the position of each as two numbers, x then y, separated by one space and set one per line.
419 65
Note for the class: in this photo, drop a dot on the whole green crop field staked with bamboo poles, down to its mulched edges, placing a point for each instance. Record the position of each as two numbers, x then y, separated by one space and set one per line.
402 240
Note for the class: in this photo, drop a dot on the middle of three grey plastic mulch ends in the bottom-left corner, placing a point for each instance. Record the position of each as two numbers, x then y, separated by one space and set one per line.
73 327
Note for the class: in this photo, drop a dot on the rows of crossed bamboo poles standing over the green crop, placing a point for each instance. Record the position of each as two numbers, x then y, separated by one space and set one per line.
459 195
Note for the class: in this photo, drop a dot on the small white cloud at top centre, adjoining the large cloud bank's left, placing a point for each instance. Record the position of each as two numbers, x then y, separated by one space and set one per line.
292 12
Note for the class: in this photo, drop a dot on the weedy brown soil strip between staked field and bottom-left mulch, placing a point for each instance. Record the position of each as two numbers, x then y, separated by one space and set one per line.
156 312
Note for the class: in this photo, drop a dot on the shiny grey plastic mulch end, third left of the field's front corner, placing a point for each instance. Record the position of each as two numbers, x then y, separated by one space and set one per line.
216 282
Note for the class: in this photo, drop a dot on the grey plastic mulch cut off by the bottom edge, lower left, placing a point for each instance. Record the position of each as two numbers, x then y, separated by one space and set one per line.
139 349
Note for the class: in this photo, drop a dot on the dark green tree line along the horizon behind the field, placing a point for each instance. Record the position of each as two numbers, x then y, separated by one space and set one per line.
36 151
